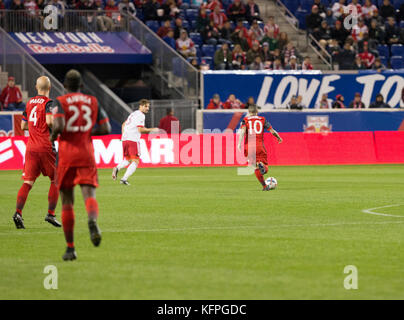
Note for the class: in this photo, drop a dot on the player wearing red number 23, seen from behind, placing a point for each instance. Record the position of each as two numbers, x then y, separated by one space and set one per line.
74 118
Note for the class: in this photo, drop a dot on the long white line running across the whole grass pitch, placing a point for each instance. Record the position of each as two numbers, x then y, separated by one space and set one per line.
218 228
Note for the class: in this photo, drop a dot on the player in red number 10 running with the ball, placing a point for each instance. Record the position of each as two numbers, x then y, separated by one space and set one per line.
252 131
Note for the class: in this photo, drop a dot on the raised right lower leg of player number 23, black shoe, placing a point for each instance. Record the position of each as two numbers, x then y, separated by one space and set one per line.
92 211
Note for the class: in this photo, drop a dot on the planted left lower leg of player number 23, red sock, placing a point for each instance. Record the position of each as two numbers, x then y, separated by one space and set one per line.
67 197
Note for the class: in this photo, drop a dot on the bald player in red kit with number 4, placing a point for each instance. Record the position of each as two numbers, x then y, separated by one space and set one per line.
40 155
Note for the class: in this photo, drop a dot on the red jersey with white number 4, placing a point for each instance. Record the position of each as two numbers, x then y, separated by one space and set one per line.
35 113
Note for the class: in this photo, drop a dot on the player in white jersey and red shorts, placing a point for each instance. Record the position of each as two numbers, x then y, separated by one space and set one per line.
132 128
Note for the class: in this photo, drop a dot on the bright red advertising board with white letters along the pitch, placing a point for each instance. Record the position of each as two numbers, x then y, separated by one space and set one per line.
336 148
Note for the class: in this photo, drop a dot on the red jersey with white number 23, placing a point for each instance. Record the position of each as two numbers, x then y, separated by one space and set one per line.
81 113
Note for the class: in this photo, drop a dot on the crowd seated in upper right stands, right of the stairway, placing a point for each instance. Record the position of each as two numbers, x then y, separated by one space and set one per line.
368 41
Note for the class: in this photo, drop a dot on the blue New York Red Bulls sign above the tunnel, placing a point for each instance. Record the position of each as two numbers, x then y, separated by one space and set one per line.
83 47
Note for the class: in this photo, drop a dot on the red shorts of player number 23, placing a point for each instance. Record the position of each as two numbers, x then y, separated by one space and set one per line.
68 177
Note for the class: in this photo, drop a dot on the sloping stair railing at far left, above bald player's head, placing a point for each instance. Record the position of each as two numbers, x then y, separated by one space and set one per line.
23 67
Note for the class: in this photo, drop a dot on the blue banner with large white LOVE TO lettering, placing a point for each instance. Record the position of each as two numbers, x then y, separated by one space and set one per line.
272 89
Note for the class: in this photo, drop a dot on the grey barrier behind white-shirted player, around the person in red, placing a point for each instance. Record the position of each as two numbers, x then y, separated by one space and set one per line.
184 109
